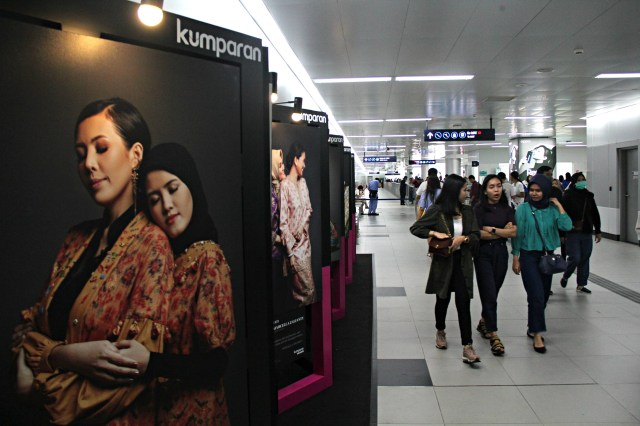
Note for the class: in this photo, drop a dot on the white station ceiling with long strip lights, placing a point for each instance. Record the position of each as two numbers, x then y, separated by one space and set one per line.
503 43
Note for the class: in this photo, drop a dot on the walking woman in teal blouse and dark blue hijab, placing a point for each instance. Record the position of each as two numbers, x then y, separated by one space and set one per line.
540 216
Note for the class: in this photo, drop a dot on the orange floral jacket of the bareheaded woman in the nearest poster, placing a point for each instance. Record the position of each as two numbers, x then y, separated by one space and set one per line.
127 297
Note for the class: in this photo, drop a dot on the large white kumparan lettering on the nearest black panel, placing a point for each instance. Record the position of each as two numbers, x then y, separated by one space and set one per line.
216 44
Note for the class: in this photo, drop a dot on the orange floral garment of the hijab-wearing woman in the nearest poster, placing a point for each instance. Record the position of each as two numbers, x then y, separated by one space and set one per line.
200 319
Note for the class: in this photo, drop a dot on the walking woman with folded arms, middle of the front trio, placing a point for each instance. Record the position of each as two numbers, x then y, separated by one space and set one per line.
496 220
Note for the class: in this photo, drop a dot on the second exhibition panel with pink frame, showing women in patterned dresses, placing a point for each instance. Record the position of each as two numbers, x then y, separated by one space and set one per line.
302 293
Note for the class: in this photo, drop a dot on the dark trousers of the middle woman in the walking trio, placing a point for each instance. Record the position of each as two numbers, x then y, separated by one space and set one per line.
491 264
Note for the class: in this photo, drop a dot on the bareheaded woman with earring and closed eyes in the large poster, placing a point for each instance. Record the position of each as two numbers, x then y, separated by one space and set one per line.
110 281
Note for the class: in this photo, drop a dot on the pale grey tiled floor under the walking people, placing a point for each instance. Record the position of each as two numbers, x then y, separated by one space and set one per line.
589 375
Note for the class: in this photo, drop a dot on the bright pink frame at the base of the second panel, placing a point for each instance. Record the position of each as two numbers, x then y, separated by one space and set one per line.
322 376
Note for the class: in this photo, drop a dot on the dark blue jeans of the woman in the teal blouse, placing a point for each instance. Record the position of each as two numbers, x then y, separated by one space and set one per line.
537 286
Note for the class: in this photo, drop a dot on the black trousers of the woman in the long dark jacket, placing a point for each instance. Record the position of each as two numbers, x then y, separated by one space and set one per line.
463 302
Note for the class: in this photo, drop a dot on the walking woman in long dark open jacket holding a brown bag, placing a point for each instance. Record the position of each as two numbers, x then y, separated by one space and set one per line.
448 217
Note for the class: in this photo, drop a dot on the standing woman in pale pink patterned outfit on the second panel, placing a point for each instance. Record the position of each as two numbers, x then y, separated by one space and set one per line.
295 217
